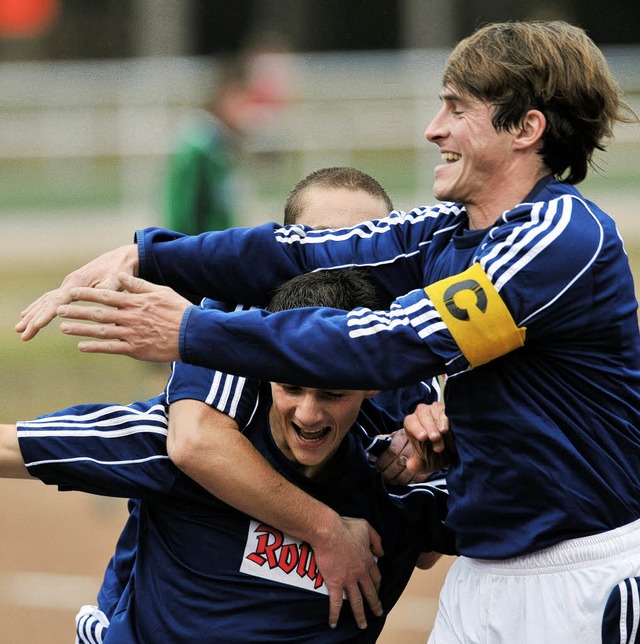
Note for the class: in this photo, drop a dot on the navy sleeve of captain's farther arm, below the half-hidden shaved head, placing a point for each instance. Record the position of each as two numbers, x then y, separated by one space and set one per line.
246 264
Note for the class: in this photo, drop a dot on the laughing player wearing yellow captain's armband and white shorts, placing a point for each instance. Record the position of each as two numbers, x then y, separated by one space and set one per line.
516 286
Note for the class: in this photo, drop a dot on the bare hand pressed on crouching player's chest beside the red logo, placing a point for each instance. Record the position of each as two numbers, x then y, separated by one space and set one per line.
347 564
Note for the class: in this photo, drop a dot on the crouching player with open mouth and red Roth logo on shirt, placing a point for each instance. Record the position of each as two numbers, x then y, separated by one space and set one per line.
203 570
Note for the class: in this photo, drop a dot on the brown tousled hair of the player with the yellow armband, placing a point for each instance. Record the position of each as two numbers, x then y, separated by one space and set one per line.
550 66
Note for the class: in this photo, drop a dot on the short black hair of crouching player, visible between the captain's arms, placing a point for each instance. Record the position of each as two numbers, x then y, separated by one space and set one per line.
345 289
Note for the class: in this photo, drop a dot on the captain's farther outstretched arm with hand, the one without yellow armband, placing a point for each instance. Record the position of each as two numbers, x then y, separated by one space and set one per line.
203 264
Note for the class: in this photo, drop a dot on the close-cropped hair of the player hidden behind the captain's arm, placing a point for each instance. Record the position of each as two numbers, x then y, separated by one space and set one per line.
334 177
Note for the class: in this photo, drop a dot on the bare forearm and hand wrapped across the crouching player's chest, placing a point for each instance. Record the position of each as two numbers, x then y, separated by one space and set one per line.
208 447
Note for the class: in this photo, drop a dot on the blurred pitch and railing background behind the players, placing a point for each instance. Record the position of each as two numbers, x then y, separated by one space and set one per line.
94 97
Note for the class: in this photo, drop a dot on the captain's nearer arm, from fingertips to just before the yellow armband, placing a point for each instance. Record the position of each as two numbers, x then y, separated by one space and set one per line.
153 323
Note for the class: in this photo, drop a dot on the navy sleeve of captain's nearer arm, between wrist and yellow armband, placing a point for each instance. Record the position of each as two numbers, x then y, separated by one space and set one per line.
276 347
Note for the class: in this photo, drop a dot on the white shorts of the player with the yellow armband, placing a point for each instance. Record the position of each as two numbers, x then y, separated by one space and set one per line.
553 596
